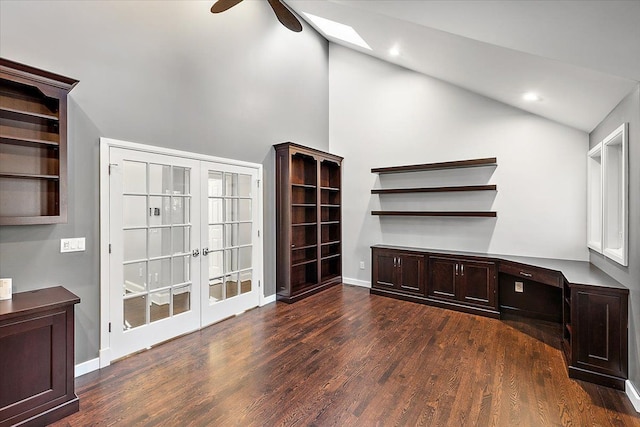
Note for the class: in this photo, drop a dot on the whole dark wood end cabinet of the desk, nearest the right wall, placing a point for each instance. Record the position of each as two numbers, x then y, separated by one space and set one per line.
596 342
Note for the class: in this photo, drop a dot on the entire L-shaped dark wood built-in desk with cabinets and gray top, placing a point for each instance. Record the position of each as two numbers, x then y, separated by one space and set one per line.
591 305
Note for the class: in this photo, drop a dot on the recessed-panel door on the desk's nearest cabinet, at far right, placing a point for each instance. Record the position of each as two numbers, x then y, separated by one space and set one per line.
600 323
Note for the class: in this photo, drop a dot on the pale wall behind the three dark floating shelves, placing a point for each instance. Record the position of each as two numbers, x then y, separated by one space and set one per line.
384 115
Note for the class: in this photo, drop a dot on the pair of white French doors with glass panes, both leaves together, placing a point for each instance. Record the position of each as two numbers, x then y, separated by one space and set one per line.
184 246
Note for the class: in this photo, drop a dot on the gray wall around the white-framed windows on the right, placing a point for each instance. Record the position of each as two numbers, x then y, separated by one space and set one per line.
627 111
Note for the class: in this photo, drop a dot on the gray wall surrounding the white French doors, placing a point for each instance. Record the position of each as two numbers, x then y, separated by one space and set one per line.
169 74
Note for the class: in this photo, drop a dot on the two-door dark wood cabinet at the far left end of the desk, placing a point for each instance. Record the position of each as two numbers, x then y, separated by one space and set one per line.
399 271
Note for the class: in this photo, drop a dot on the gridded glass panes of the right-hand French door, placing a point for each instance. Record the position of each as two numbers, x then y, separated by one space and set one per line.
230 242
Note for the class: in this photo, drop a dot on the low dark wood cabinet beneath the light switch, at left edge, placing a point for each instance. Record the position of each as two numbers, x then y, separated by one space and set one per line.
37 357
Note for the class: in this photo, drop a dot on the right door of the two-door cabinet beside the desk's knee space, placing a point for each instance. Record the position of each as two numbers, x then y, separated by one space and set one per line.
478 283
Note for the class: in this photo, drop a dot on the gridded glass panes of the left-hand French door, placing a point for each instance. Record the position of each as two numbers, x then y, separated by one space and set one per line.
156 242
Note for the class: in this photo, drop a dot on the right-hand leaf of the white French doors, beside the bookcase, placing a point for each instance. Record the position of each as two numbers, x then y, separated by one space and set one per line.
227 268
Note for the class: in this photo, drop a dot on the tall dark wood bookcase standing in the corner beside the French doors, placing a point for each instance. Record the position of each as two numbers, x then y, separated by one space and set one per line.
308 221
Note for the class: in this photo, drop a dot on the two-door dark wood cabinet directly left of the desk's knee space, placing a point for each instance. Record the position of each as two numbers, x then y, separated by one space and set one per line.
462 280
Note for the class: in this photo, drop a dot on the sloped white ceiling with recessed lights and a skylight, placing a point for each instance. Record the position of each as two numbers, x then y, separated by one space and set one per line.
581 57
